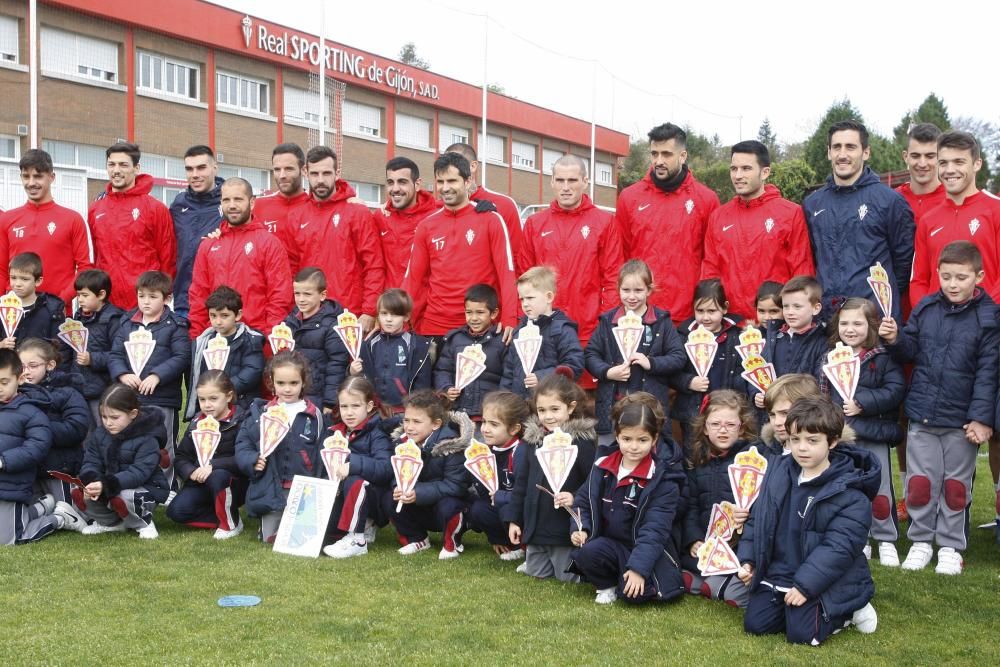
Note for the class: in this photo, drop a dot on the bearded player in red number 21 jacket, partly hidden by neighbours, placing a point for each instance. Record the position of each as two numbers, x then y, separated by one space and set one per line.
274 210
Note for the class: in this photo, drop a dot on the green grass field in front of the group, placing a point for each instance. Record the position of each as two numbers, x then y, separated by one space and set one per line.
116 599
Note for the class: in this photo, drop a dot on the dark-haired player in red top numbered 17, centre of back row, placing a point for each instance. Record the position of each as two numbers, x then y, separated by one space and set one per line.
459 246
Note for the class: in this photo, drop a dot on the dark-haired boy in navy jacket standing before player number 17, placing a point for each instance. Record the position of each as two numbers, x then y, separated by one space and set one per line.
482 307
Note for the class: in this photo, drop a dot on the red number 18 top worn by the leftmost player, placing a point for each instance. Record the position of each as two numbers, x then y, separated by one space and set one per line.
59 236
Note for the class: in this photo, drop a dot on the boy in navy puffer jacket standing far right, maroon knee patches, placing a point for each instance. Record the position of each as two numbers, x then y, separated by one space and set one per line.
953 339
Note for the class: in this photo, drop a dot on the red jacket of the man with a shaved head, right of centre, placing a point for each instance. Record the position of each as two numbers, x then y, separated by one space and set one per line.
585 249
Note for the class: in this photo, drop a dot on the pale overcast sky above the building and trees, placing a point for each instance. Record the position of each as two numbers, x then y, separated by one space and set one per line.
702 63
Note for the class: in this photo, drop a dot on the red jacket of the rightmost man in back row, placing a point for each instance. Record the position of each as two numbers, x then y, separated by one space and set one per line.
976 220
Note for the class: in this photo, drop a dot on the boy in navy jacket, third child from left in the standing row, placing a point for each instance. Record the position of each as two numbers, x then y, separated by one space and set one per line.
158 382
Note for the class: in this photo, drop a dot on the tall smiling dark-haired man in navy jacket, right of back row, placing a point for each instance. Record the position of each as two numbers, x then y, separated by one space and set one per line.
855 221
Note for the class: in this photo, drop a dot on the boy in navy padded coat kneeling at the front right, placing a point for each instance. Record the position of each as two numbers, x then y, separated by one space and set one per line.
801 550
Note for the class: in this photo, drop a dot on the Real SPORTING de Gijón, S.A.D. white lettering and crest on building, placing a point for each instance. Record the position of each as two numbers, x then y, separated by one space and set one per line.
338 60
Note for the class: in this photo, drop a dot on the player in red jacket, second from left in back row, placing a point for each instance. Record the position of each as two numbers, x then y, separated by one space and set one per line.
132 230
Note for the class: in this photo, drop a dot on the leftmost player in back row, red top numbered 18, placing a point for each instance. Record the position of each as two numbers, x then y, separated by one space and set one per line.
58 235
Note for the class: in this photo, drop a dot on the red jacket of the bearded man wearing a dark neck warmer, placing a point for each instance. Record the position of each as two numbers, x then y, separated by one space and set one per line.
667 231
